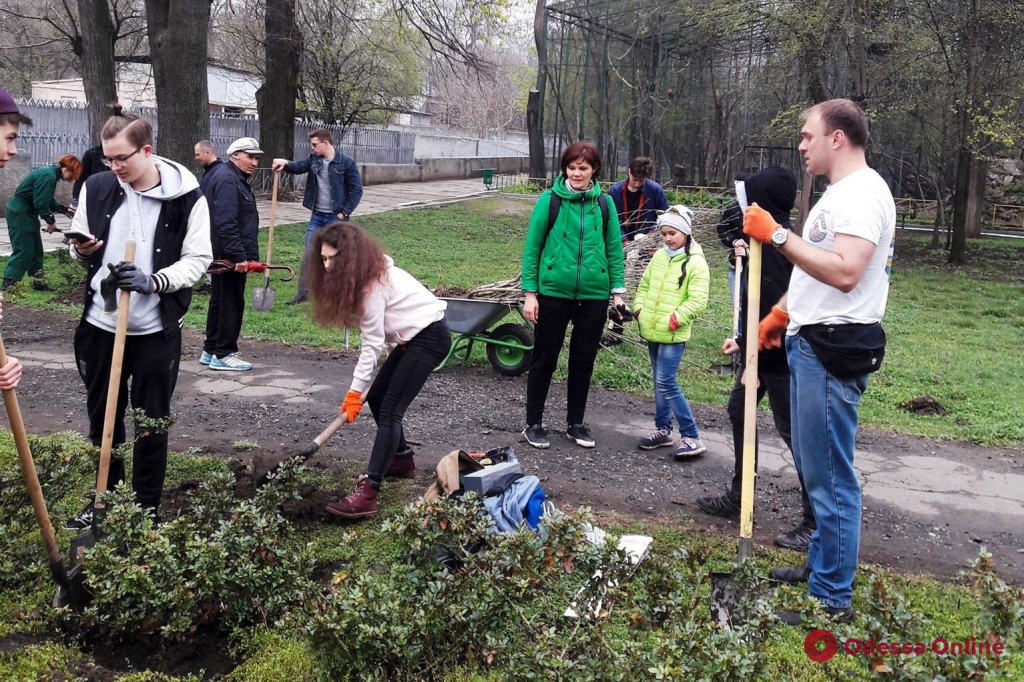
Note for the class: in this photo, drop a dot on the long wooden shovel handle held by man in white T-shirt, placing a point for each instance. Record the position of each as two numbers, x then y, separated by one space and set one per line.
750 402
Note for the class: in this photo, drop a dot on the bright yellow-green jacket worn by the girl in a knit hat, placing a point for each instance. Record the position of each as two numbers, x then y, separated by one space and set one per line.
660 295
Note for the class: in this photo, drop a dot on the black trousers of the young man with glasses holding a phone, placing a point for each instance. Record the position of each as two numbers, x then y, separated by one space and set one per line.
151 365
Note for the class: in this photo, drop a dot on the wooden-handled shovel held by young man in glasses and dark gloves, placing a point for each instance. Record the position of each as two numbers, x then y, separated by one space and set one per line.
89 539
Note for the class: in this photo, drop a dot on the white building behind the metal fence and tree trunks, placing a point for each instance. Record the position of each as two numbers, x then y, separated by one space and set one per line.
231 92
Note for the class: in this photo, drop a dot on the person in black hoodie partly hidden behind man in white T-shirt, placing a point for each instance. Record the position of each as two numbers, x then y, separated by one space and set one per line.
776 191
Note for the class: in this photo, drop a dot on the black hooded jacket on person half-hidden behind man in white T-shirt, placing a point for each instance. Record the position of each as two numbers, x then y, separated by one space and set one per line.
775 190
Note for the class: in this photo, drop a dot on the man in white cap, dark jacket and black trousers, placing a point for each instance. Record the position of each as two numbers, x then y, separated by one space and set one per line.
235 226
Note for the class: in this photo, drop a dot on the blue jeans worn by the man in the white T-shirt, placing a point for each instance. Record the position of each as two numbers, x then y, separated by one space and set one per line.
825 428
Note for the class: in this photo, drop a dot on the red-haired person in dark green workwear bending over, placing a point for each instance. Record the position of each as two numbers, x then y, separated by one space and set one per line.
34 200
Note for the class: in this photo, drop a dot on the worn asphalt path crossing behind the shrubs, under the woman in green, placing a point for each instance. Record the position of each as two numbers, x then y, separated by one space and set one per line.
929 505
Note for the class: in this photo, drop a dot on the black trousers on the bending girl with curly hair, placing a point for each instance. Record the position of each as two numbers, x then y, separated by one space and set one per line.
399 382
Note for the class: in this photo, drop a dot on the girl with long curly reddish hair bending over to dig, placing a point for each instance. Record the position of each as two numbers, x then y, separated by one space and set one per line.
354 283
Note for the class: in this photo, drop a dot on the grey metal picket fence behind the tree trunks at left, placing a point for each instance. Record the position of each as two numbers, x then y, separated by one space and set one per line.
63 127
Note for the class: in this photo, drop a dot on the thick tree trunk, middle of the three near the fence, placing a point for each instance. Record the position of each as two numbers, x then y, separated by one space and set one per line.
178 47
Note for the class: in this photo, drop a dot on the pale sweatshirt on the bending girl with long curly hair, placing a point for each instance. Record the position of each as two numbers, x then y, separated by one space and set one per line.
397 309
